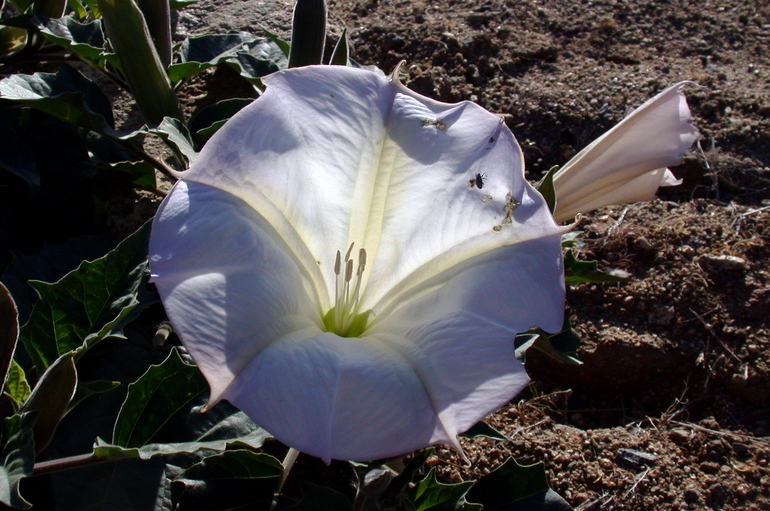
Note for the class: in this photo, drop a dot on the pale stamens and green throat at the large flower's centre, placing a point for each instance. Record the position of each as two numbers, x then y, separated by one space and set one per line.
344 319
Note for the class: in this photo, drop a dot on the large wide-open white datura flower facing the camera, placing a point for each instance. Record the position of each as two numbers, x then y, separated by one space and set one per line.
348 262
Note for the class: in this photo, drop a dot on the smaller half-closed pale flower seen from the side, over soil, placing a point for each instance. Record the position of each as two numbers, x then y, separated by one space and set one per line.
628 163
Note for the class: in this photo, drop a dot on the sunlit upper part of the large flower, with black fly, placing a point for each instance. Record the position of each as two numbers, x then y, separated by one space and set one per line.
334 156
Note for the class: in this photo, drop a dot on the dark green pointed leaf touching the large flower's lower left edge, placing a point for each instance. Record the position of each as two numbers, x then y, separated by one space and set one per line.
162 391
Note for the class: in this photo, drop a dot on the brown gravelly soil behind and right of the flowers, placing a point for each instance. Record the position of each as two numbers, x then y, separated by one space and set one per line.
671 407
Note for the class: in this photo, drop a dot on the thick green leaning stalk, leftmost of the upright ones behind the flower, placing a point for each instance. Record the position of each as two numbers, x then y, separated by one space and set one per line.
139 61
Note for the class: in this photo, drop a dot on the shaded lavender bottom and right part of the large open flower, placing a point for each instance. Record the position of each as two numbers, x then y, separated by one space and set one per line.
431 371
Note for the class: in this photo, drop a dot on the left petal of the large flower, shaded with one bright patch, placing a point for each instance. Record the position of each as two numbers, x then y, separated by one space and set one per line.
227 286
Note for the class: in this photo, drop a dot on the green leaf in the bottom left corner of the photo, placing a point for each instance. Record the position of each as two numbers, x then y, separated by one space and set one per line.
18 457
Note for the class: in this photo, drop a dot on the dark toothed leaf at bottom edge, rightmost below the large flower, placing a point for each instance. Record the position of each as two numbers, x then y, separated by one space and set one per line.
513 487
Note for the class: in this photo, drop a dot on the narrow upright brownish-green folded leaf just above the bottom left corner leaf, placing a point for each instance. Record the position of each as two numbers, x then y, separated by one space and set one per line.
51 397
